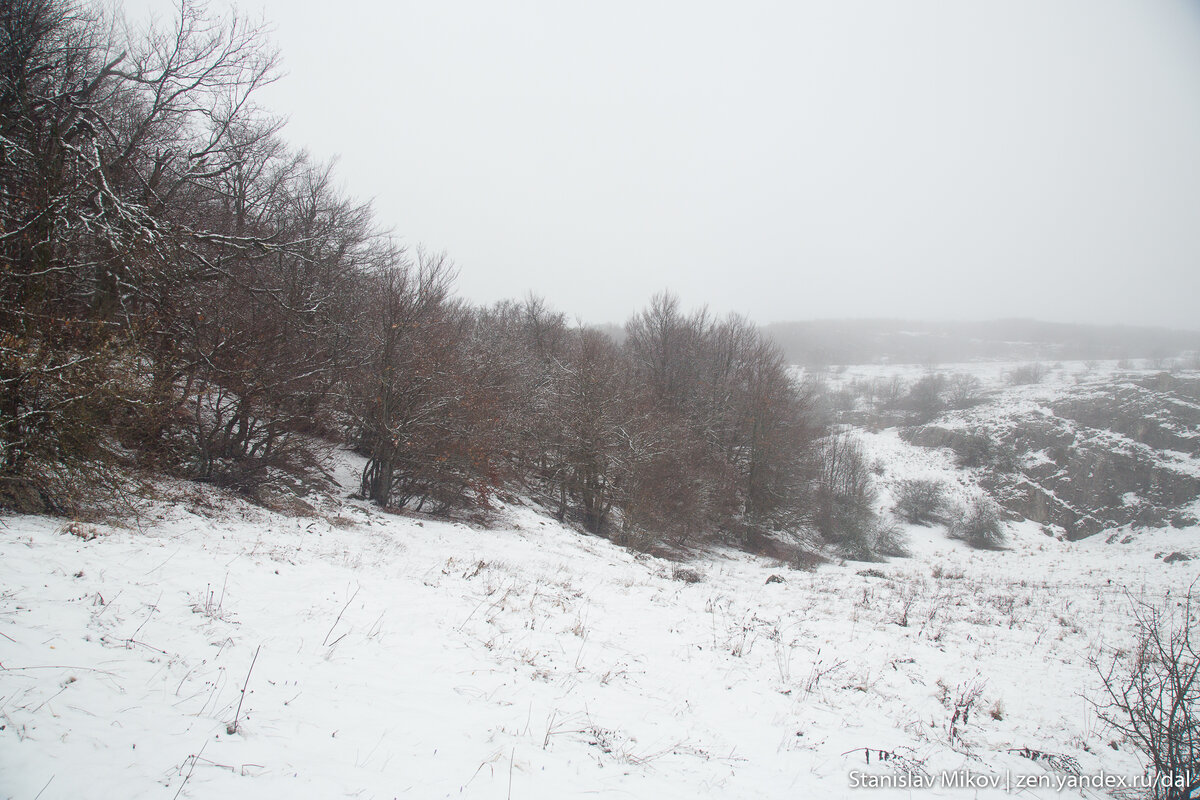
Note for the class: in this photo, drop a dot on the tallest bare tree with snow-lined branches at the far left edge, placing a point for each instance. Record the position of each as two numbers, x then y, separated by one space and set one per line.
105 140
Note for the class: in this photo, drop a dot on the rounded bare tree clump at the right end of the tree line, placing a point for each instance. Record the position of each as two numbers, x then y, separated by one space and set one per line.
740 428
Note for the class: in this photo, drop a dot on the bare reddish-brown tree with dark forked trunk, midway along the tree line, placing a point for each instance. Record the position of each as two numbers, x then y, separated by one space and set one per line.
425 410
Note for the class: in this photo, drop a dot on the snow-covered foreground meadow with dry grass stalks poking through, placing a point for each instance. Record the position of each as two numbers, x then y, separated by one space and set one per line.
413 658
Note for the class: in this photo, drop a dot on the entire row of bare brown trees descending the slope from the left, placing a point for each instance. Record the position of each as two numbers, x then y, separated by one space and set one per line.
183 292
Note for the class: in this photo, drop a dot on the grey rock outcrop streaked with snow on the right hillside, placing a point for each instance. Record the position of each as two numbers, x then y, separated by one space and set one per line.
1090 458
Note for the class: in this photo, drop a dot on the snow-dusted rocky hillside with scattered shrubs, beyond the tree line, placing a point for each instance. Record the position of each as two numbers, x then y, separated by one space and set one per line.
1082 449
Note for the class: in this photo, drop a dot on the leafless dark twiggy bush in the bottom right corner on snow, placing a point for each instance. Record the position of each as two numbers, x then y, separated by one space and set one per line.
1154 694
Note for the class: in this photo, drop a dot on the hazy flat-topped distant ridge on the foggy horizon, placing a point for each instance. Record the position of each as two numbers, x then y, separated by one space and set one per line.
872 341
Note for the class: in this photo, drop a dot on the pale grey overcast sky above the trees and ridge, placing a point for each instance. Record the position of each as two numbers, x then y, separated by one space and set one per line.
931 160
